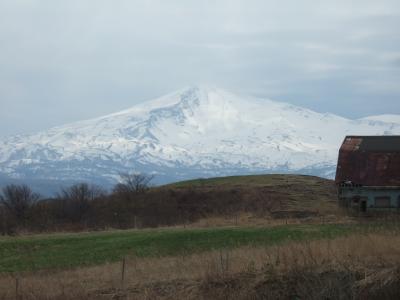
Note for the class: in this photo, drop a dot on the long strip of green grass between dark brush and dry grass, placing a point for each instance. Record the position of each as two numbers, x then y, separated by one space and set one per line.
61 251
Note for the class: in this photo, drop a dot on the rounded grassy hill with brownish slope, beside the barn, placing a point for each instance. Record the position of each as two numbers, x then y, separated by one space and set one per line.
280 195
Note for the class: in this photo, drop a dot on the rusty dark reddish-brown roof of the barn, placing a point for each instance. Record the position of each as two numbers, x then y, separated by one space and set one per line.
369 160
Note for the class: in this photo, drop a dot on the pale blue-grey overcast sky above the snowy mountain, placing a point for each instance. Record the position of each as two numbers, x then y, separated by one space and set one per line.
67 60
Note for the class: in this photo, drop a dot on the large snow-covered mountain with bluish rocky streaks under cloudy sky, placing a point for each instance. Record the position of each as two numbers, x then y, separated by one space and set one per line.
195 132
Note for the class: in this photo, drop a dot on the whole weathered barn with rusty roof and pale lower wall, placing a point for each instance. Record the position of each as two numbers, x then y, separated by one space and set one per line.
368 173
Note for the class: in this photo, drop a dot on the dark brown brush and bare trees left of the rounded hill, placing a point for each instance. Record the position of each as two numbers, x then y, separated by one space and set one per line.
131 204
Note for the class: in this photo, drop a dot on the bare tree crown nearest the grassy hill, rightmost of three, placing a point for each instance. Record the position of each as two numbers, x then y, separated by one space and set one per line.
133 183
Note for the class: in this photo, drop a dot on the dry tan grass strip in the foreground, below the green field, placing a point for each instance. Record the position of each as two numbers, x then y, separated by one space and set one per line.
344 268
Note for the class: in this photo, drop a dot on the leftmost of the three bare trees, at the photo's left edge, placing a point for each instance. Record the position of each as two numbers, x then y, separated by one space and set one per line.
17 200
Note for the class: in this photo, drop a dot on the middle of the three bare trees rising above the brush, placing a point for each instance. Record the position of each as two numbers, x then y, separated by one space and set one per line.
77 199
